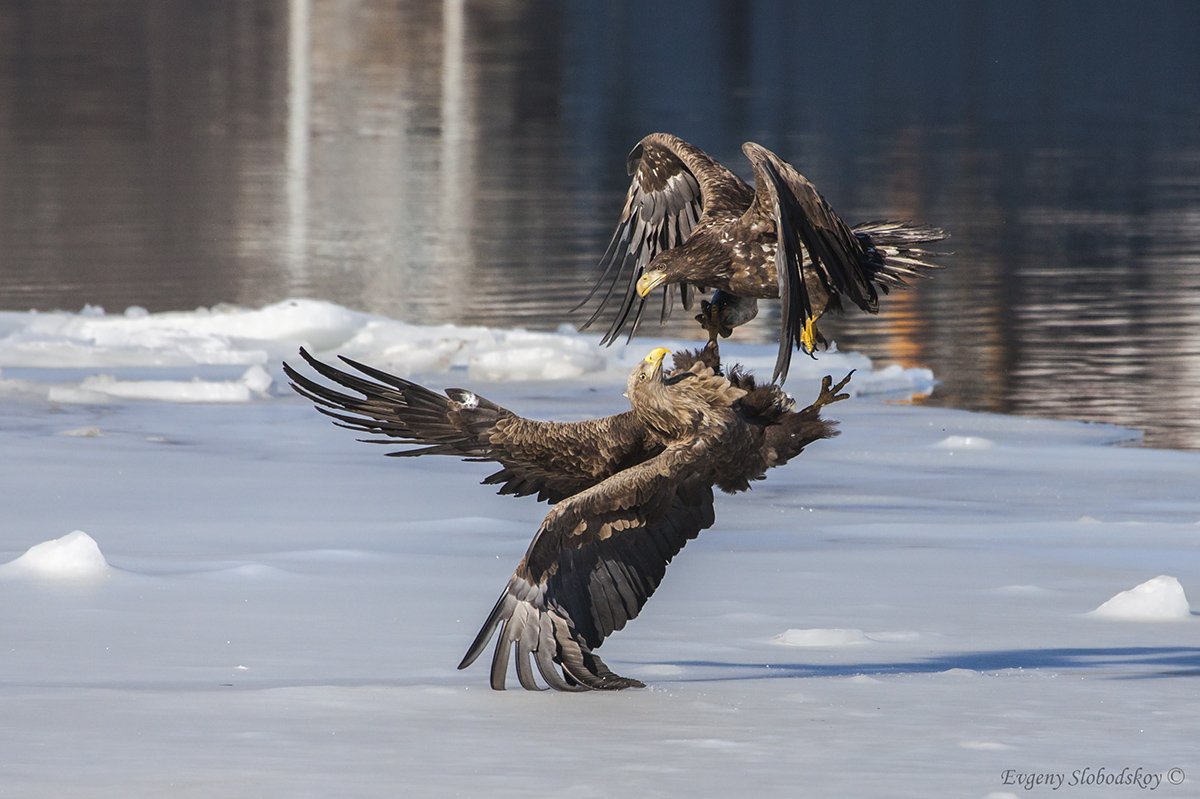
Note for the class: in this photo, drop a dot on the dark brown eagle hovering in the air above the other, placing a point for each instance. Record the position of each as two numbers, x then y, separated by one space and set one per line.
691 223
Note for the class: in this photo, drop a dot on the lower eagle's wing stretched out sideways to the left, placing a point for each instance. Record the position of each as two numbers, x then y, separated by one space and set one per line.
551 460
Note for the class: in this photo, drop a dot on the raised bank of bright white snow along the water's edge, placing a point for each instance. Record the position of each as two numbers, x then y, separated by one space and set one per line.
188 347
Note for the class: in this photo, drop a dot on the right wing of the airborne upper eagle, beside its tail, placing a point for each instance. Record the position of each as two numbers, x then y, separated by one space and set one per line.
839 262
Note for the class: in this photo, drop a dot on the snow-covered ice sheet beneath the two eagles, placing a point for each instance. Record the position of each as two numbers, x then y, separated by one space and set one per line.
285 609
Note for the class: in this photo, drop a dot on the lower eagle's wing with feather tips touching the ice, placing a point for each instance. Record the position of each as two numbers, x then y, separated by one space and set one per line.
596 561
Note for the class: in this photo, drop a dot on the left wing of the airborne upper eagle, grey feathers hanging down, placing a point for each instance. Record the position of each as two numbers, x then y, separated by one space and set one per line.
674 185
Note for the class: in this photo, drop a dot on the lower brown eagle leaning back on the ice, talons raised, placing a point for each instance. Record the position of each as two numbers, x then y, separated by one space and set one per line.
627 491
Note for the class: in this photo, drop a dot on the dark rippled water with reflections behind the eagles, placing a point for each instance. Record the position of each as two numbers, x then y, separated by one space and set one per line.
465 163
